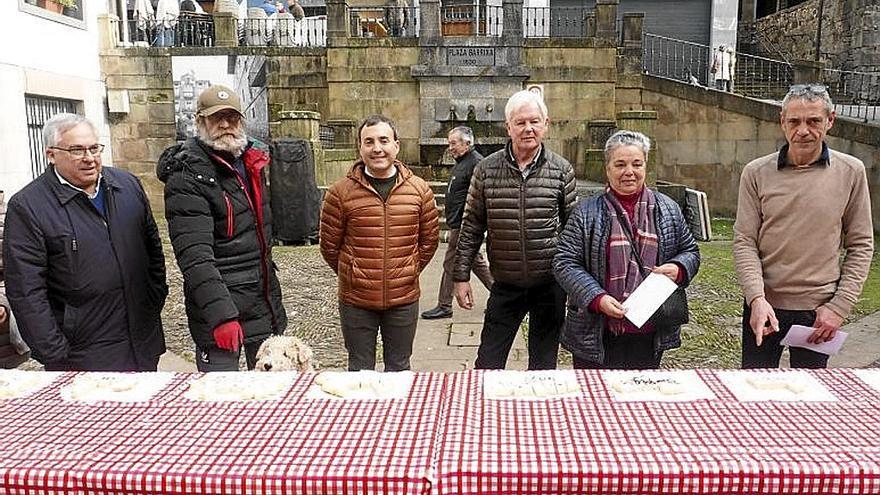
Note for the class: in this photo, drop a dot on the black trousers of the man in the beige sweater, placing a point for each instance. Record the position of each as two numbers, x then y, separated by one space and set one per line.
770 352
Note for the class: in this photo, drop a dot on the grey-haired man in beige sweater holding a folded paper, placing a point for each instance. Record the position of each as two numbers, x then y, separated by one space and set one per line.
797 208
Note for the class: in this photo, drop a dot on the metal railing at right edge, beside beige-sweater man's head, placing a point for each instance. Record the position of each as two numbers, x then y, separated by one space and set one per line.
855 94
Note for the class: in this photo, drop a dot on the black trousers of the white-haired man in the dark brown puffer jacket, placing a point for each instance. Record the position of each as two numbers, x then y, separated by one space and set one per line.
505 310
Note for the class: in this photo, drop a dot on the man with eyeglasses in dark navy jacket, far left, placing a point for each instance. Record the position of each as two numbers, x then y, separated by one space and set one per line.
85 271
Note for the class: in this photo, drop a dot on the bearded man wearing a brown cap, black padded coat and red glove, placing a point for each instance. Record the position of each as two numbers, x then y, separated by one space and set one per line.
219 220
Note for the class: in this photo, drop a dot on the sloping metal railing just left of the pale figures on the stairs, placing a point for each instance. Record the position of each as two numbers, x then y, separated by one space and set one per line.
675 59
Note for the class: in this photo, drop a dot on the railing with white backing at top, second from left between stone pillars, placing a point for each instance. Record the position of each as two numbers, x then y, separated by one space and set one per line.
283 31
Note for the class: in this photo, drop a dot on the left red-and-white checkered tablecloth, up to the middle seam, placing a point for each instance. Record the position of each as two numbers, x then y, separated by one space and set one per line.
173 445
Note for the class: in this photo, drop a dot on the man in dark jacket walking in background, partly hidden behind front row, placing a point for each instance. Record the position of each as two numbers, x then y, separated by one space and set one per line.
461 147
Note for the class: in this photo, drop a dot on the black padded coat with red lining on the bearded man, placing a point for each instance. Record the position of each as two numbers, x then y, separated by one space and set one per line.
221 231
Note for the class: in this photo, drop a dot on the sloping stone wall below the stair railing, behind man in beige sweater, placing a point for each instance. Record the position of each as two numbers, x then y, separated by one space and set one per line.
704 138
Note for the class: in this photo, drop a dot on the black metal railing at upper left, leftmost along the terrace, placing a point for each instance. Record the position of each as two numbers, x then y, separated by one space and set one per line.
189 29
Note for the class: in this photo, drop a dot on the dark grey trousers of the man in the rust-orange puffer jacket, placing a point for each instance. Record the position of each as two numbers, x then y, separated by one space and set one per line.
360 328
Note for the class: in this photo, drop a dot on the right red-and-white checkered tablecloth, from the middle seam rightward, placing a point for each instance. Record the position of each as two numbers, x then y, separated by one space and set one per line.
594 444
